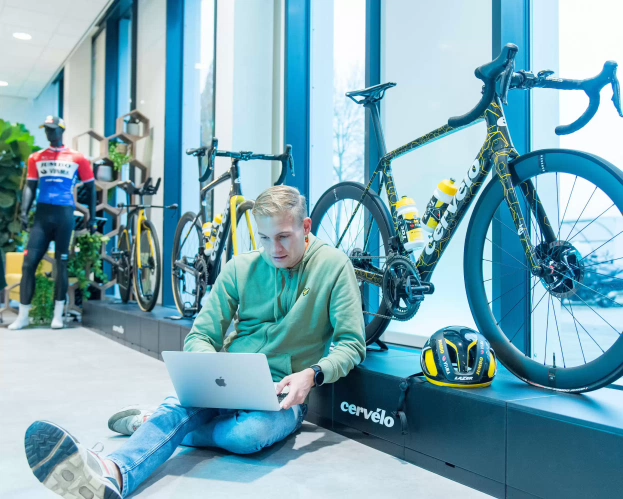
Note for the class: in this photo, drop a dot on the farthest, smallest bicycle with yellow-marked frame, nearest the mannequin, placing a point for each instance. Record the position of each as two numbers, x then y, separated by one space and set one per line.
136 260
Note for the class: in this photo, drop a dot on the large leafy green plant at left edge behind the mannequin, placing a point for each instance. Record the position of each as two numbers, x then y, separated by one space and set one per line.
16 145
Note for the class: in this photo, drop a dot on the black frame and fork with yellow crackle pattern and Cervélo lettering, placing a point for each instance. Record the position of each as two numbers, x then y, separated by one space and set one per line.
496 153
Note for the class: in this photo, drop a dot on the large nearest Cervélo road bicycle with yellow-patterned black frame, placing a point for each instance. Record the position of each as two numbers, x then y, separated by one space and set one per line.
524 275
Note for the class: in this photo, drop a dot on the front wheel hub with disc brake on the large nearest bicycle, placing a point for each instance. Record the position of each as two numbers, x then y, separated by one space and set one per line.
563 270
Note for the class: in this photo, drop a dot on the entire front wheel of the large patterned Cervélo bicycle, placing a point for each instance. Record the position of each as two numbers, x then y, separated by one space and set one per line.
572 341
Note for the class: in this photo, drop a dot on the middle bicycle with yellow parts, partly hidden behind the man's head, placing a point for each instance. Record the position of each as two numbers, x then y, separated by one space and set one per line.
199 245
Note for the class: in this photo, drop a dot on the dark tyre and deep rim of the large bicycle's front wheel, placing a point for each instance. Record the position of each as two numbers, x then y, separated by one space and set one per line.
600 371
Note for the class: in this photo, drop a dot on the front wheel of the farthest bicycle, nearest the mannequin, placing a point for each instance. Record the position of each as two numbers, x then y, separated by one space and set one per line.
147 274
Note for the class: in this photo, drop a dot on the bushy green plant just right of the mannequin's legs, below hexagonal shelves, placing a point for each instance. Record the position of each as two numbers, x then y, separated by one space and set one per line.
87 259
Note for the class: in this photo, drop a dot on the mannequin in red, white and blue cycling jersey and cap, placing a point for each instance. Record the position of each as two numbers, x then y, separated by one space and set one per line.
57 168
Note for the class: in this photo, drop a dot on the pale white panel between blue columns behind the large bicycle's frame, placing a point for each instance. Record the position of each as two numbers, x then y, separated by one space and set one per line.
430 49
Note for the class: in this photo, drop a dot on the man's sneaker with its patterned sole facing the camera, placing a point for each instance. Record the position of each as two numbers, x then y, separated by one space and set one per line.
65 466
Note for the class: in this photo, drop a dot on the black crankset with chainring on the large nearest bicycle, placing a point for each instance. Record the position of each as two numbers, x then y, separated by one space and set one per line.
403 290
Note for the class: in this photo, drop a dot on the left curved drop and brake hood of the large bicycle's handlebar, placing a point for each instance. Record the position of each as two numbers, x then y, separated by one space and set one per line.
489 73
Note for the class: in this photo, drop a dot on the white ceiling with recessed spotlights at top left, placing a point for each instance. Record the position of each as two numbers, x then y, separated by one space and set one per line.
56 27
